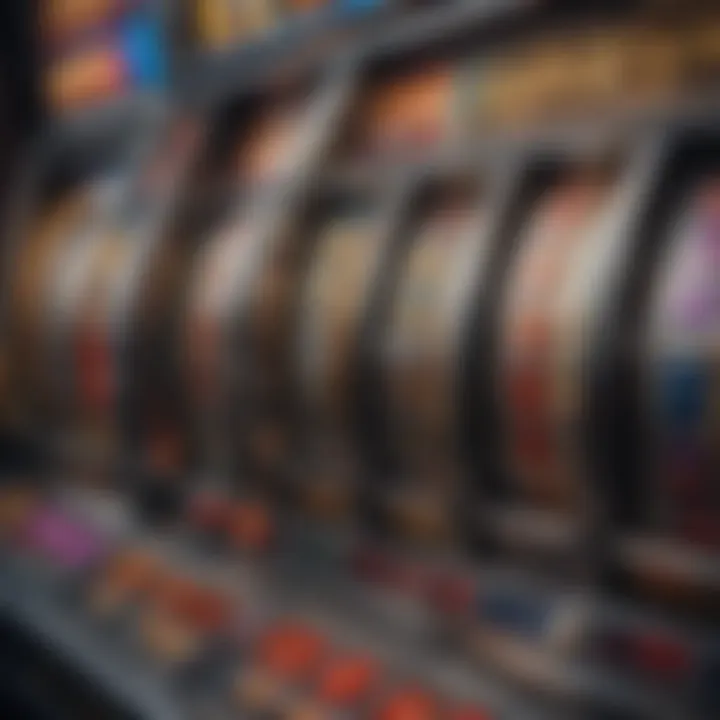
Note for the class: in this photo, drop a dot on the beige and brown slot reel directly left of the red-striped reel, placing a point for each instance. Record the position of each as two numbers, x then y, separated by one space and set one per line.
444 248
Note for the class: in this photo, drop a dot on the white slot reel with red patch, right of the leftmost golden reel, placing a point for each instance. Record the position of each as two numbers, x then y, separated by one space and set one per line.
97 331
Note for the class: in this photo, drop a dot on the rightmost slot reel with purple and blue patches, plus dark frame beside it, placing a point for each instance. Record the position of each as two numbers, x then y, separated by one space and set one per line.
656 414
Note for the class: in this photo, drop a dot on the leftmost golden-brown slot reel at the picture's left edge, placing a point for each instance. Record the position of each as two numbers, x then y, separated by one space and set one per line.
62 206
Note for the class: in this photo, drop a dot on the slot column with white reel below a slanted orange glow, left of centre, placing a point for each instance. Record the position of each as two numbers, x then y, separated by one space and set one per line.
233 318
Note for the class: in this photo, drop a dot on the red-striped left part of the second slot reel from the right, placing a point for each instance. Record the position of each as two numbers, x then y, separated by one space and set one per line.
556 227
